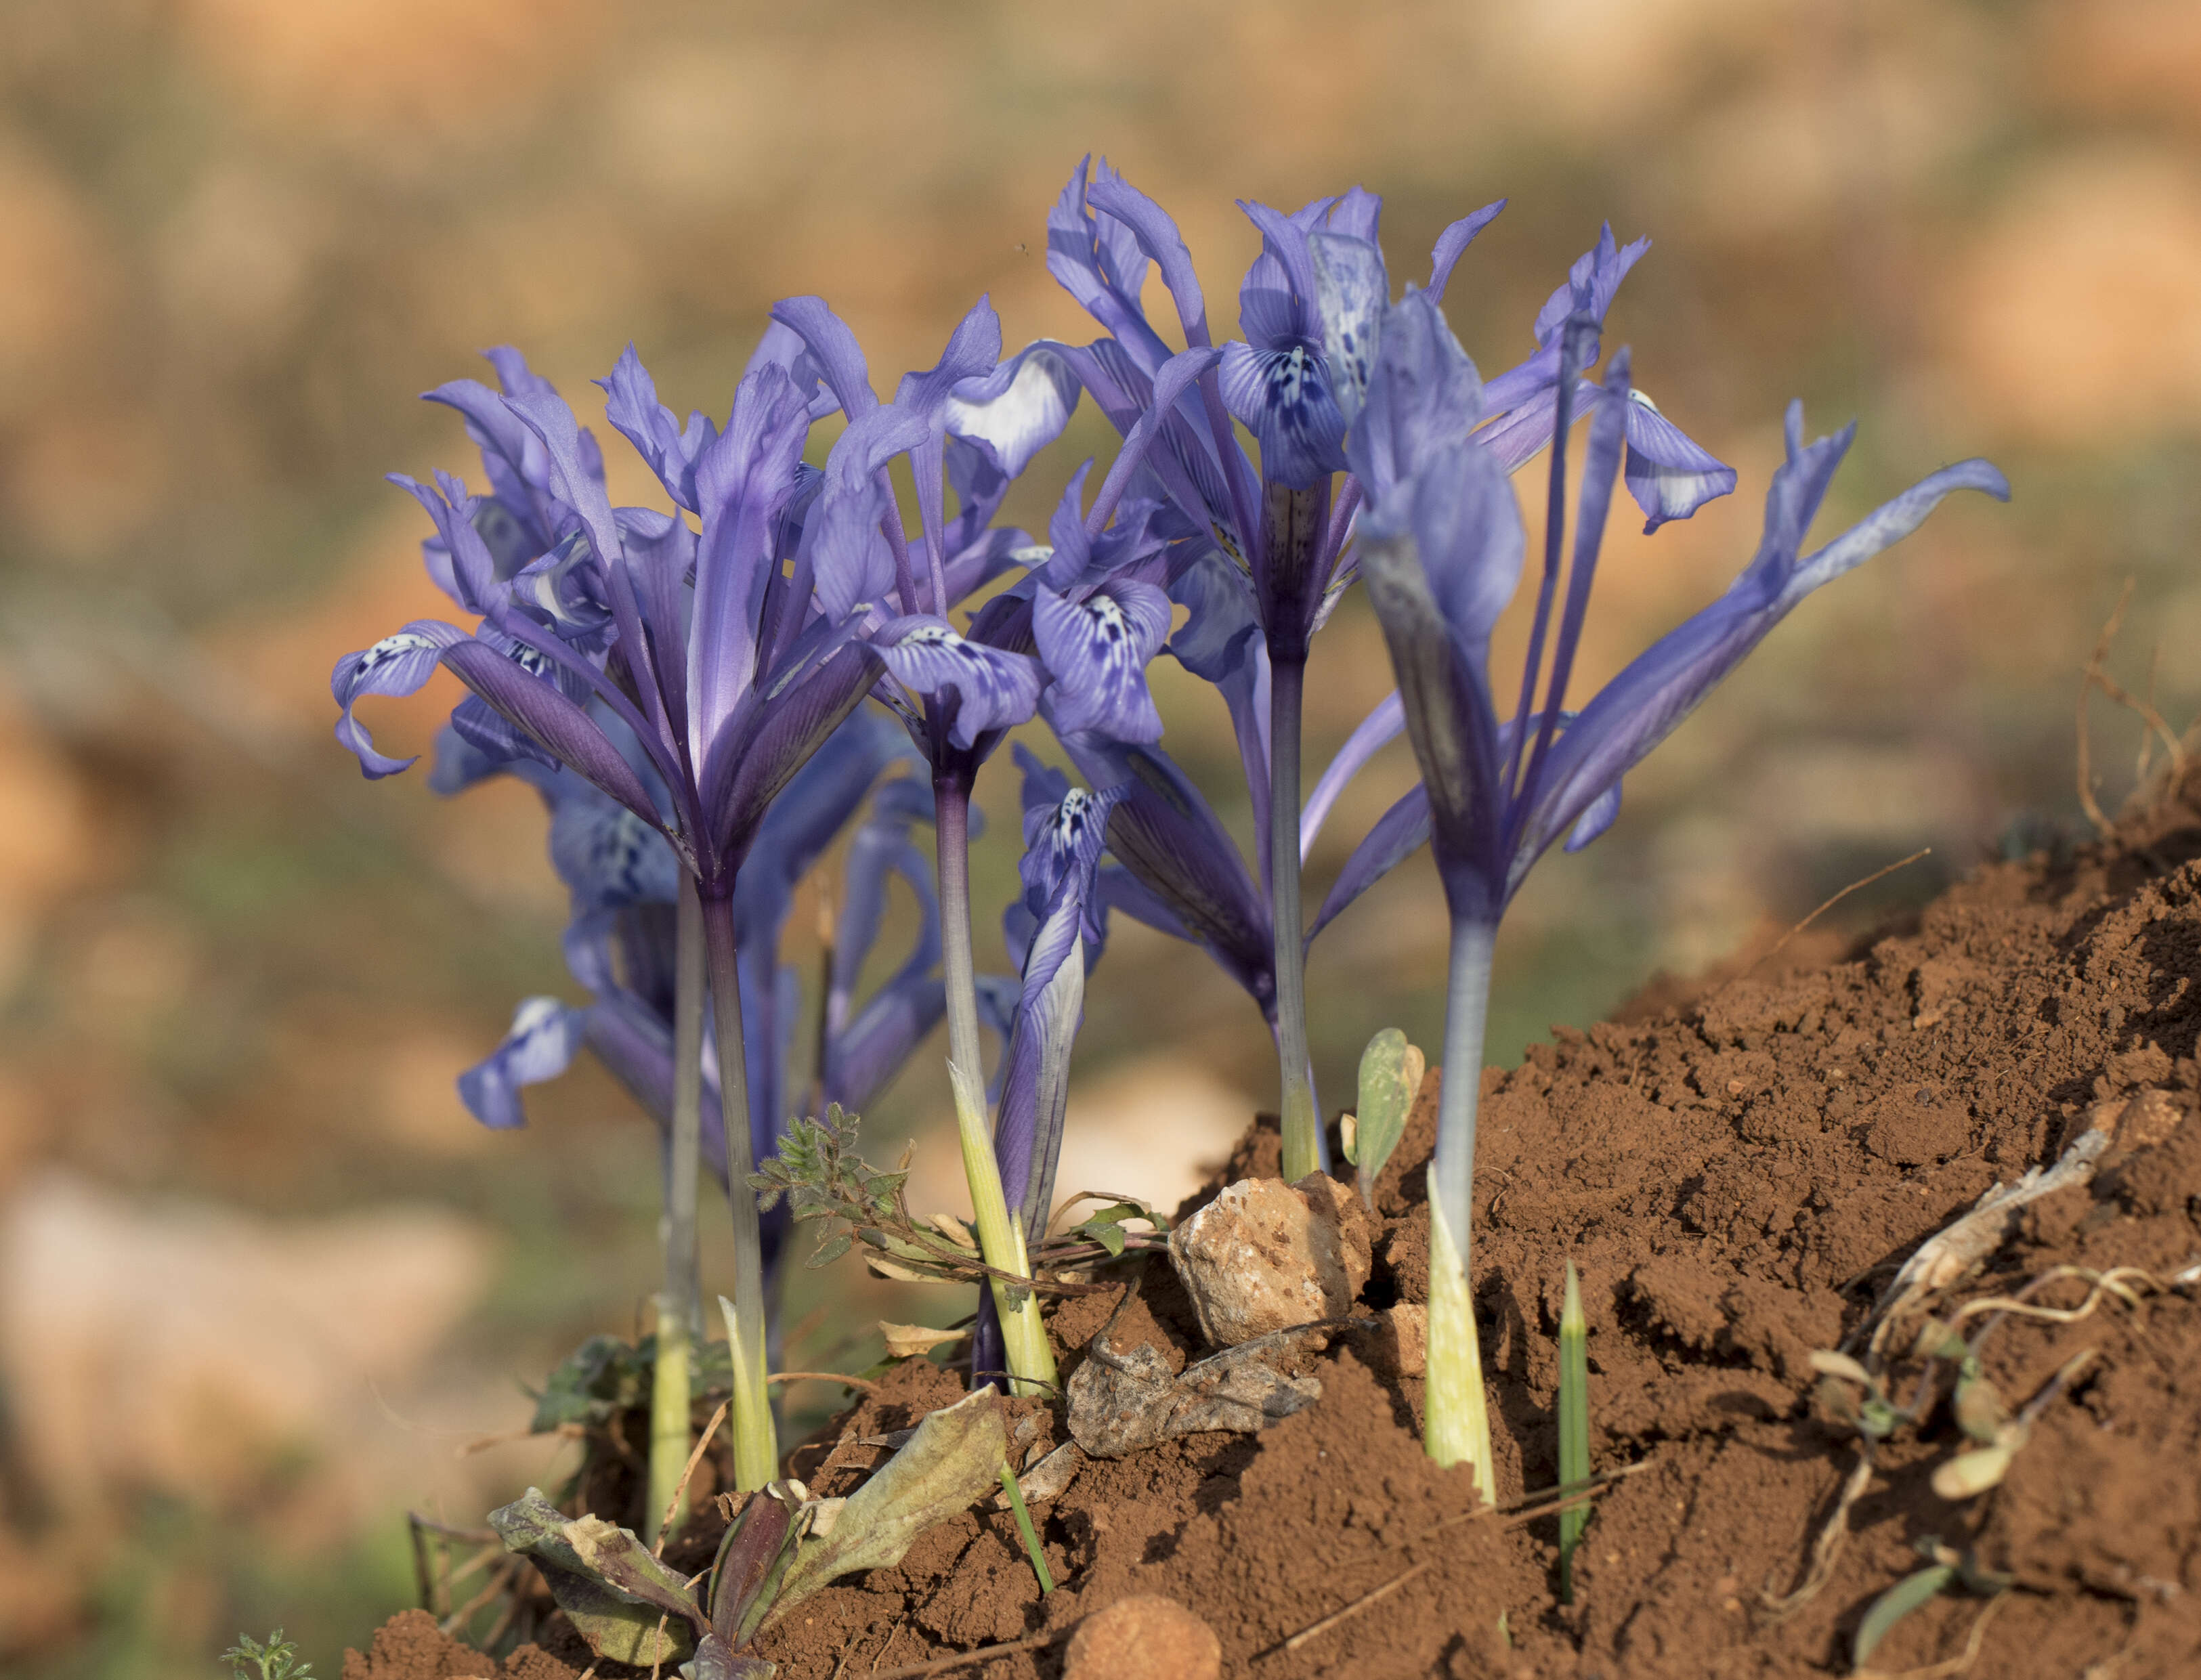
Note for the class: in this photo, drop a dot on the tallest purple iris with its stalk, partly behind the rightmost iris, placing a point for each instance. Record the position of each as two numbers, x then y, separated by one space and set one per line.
1313 309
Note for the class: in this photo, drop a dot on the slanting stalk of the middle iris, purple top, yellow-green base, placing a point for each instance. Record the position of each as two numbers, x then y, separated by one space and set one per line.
1000 1239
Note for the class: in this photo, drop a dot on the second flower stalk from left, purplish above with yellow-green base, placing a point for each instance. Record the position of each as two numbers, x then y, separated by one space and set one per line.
756 1432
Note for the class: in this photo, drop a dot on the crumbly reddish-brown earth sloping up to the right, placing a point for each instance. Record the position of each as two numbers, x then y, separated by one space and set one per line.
1738 1175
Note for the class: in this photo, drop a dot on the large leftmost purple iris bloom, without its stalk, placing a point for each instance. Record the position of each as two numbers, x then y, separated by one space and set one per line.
727 686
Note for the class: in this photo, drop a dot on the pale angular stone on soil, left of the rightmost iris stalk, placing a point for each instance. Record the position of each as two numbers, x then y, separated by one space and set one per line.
1269 1256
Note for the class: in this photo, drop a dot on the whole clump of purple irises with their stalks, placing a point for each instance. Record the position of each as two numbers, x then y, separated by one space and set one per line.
710 697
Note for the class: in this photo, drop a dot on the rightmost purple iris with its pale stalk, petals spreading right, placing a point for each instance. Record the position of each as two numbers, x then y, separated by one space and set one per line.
1443 549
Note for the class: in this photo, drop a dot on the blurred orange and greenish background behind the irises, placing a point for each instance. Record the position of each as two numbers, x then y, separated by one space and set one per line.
261 1278
